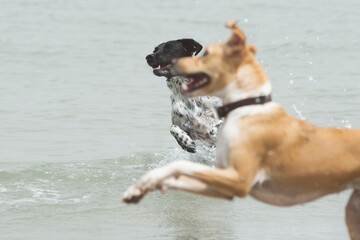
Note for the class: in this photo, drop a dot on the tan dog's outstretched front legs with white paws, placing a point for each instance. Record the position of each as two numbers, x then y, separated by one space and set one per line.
226 183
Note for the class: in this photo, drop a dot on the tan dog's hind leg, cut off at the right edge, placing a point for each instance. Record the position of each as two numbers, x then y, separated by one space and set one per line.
353 215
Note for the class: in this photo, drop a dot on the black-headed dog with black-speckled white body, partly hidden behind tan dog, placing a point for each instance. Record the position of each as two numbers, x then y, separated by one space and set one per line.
192 119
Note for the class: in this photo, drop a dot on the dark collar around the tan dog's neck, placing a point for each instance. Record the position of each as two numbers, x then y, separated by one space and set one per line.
224 110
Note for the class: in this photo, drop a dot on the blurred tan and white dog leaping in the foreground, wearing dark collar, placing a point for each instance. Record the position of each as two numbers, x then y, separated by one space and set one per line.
261 150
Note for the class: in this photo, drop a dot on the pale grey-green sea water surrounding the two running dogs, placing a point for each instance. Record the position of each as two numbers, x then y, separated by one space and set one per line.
82 116
